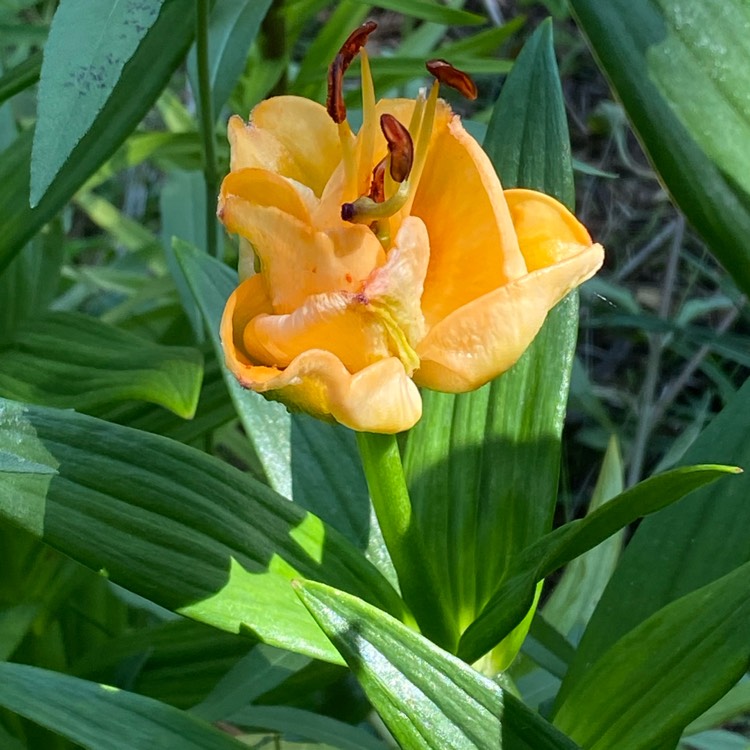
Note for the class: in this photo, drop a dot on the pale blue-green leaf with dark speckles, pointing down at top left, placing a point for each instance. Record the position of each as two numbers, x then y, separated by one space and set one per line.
87 48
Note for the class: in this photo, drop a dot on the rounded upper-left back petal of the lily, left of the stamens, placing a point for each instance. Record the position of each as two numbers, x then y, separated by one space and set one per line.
289 135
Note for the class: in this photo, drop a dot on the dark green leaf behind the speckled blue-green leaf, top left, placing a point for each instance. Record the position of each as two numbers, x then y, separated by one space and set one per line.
140 83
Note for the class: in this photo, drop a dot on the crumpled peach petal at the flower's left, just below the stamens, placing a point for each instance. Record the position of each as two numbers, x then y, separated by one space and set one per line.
297 261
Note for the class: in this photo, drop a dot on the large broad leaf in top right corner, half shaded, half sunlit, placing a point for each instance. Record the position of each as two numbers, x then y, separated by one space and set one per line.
671 62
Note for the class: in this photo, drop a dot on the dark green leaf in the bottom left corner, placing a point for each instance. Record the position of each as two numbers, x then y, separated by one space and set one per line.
97 716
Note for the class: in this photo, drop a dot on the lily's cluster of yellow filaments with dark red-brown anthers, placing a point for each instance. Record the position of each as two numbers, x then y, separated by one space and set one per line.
391 185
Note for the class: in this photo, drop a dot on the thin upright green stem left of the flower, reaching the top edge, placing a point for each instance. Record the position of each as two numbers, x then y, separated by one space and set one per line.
207 125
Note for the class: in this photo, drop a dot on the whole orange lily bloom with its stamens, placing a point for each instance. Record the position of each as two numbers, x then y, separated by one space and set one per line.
387 260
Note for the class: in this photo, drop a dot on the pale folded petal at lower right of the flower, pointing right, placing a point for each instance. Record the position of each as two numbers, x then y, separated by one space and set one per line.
485 337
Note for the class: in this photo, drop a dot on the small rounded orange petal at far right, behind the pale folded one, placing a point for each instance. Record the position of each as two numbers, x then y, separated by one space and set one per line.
547 232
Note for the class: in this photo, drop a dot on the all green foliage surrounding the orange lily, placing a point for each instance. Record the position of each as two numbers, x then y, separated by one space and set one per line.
168 488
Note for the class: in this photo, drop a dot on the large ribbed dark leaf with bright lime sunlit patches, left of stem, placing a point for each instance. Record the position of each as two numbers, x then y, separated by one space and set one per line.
175 525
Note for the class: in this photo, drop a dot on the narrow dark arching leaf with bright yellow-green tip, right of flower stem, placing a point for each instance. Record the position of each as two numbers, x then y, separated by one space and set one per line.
566 543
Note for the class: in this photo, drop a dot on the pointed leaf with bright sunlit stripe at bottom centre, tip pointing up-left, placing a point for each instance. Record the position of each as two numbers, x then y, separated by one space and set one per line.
428 699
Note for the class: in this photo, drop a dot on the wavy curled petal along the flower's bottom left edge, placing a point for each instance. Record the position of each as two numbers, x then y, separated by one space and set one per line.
379 398
